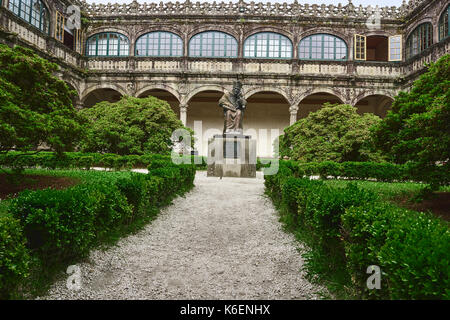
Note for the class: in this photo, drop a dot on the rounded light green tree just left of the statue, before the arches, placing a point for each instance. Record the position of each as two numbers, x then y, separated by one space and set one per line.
130 126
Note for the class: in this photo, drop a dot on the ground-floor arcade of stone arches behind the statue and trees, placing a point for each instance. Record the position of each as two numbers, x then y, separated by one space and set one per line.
269 111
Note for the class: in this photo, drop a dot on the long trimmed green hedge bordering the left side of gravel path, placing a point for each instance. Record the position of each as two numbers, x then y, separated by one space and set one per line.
63 225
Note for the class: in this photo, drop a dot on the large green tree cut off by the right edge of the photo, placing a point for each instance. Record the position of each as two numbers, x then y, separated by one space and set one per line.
417 129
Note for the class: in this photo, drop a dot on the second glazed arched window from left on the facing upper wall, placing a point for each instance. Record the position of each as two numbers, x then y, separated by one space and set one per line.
159 44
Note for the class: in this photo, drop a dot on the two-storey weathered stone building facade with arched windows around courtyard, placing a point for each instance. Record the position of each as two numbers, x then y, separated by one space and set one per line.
290 57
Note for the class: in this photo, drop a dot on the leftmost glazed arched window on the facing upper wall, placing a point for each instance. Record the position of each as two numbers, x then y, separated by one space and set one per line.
108 44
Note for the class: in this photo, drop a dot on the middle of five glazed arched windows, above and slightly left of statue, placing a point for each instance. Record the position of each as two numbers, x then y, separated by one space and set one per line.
213 44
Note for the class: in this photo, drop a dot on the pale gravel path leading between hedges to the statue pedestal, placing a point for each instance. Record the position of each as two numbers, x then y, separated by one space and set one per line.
221 241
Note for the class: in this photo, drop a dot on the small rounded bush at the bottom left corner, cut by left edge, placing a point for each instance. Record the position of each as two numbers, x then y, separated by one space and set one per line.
14 256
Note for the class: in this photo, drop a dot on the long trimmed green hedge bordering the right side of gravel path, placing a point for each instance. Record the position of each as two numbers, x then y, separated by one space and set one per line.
348 229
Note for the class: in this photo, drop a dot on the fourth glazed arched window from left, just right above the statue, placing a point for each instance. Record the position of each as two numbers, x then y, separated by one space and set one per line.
268 45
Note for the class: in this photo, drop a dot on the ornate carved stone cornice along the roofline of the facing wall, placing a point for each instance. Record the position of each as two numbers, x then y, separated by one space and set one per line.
250 9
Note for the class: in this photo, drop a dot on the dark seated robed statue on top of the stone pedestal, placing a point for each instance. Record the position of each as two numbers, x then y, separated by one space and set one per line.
233 104
